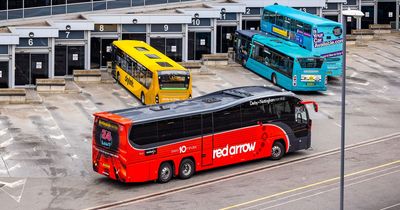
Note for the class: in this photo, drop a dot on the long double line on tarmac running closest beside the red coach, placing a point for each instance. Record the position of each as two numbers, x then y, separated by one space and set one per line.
245 173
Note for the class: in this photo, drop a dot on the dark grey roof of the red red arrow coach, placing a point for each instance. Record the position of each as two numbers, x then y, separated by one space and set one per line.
200 105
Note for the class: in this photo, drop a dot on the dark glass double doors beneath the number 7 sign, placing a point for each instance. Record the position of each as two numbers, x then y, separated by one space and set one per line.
69 58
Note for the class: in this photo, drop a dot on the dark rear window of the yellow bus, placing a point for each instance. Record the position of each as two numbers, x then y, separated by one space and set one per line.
173 80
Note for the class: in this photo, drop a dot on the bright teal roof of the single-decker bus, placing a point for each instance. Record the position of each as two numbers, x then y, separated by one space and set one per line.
286 47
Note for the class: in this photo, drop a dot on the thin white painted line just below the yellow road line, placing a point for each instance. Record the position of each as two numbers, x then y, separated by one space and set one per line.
257 206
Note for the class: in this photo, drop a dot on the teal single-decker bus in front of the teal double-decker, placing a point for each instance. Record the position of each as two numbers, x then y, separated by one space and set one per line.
284 63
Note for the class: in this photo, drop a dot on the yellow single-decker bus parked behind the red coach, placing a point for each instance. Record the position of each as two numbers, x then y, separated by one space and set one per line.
148 74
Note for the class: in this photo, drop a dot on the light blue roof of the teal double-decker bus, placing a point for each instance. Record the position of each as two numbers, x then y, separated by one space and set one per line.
301 16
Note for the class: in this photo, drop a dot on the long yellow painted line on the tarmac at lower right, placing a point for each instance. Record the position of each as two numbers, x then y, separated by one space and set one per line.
311 185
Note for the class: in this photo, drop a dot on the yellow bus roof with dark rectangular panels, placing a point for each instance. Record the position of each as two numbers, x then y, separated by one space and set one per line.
140 50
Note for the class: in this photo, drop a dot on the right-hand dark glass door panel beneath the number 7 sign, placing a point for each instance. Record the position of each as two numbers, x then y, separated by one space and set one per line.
76 58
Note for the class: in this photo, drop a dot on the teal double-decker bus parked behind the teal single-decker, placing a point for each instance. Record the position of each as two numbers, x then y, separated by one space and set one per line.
319 35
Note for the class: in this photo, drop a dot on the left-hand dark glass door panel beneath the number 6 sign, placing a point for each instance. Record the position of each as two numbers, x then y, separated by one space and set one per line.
22 71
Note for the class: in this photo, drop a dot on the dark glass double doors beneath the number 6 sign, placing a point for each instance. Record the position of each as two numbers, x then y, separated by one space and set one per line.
29 67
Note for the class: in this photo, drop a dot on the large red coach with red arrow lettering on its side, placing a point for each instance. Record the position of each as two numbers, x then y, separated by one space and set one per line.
177 139
